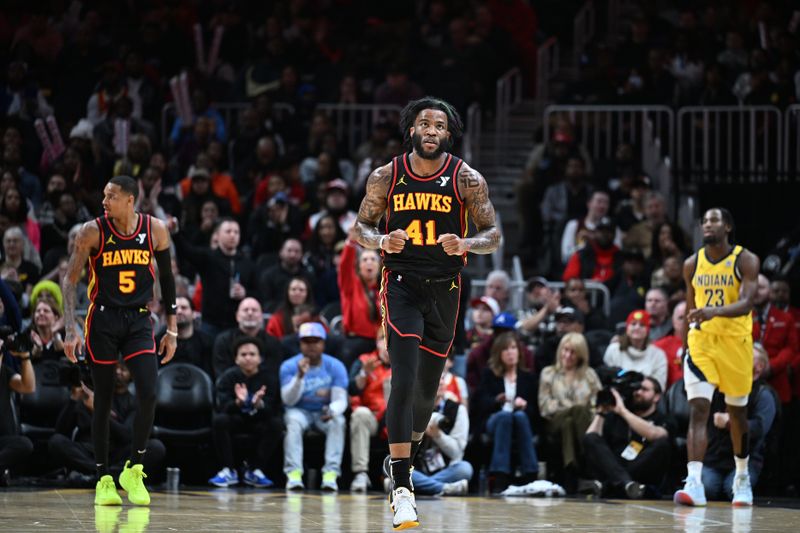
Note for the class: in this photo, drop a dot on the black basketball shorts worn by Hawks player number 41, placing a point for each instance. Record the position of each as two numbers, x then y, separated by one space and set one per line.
424 308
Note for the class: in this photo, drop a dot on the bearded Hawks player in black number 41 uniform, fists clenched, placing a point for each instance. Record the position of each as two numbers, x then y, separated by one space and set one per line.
425 197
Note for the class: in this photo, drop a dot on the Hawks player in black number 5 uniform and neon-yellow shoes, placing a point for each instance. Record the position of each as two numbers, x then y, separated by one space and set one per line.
119 249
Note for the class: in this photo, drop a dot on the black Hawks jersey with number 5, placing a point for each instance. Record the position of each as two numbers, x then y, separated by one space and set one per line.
121 274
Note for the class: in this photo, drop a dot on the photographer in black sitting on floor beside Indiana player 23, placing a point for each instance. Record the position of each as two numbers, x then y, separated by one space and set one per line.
627 444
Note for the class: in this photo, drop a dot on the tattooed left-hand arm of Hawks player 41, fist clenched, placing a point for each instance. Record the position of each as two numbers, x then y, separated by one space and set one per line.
373 207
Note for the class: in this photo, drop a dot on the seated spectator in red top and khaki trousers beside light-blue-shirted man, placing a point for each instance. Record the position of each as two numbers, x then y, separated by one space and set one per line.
370 377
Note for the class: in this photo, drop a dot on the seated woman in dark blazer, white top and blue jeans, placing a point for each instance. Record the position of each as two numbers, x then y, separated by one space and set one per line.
506 400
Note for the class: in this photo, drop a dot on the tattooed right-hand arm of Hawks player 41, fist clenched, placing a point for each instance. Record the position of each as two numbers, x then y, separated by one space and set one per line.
473 189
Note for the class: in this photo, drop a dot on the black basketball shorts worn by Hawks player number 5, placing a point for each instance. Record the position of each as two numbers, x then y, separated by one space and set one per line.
112 332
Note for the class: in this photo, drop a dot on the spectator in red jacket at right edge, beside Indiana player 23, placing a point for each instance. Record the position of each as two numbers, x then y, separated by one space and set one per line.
775 330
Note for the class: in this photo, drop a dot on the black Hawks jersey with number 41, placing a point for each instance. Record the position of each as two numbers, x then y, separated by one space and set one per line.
425 207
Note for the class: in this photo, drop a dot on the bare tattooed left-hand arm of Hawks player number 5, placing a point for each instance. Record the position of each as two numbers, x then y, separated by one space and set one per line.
87 241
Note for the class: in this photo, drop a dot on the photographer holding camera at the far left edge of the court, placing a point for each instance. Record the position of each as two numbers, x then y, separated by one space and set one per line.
16 375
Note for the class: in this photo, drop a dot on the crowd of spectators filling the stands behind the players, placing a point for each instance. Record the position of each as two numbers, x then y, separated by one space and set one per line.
278 308
